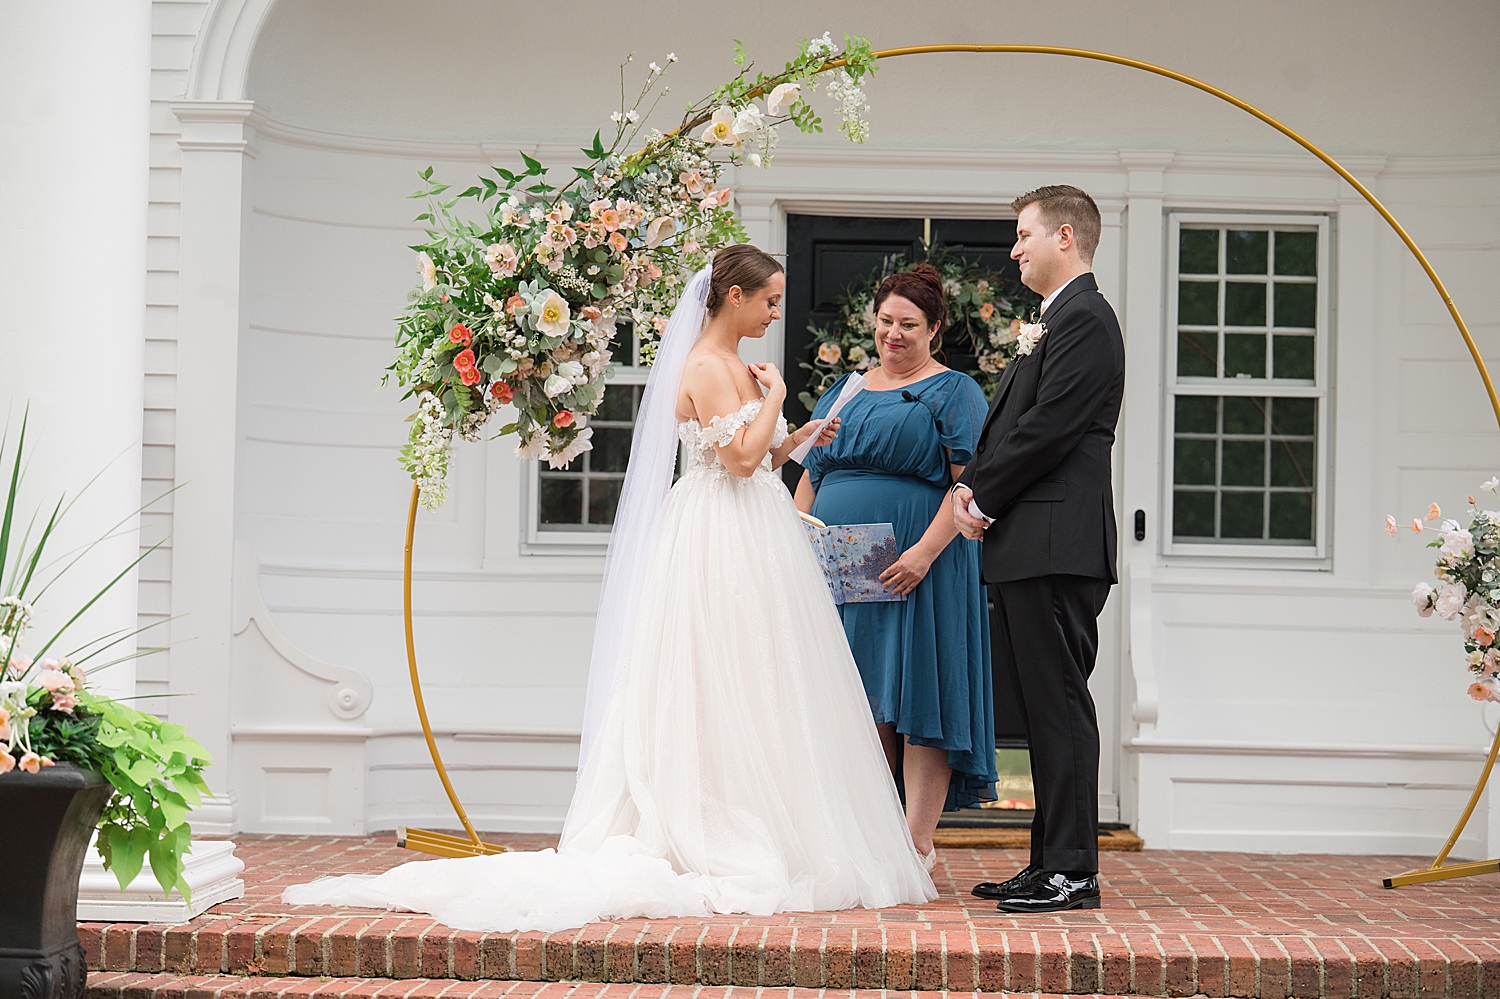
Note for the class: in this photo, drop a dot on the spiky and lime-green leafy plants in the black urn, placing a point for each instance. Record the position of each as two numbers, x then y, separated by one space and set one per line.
49 716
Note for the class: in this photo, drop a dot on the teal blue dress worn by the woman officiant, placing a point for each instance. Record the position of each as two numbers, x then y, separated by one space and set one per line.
926 661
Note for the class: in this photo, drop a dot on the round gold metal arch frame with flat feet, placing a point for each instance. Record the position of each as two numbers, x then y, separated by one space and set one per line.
472 845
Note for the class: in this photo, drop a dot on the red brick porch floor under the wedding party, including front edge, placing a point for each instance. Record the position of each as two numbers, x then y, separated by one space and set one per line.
1172 925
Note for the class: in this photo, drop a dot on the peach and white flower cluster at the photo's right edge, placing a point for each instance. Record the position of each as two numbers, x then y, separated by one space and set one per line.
1468 586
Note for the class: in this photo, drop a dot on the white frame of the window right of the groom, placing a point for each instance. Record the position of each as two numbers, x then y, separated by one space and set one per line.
1313 556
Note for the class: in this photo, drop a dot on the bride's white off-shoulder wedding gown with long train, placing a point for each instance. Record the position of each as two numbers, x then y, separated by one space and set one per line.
739 769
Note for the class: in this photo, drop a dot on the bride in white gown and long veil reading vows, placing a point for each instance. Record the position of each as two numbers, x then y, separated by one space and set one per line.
730 760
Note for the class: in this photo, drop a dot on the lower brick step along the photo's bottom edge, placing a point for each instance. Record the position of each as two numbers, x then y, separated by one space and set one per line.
140 986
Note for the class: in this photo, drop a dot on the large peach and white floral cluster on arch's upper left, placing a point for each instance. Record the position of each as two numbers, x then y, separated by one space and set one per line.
532 290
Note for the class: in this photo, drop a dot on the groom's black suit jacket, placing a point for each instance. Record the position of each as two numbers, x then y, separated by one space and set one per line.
1043 464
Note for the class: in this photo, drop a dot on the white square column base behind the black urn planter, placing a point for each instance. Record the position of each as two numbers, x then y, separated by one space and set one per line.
211 875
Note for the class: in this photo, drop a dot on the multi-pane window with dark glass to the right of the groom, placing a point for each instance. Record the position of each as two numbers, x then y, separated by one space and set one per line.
1247 415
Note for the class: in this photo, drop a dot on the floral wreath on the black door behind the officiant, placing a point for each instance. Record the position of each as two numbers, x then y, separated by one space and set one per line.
985 308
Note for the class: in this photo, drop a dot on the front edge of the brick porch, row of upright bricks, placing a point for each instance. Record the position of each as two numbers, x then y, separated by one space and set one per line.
1084 959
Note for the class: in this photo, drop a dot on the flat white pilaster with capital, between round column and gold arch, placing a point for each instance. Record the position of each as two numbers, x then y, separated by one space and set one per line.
217 155
